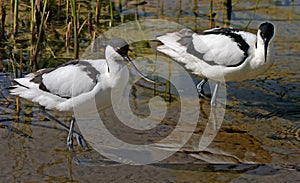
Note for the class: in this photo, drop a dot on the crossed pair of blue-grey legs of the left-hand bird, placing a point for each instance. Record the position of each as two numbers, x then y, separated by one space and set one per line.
73 133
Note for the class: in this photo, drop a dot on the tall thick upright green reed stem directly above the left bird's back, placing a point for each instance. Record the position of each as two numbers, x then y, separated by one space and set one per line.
75 27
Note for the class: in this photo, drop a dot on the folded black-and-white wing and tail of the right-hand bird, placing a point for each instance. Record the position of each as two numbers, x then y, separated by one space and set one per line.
220 46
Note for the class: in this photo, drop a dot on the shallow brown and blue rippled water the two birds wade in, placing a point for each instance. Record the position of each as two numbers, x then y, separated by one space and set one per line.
258 140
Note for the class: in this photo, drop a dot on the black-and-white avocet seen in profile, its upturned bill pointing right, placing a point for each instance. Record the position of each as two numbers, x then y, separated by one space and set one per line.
78 83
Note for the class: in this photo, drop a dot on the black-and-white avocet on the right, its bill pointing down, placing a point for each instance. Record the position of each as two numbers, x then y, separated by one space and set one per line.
221 54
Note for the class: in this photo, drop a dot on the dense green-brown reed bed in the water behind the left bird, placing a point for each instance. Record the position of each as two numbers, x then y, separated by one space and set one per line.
31 32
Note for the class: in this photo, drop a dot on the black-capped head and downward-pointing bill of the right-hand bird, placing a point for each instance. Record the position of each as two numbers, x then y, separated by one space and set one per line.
265 35
